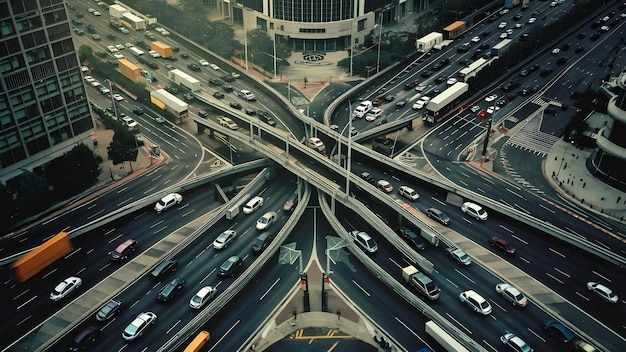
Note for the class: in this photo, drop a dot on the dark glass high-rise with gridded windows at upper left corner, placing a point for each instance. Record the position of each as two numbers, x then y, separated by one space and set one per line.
44 110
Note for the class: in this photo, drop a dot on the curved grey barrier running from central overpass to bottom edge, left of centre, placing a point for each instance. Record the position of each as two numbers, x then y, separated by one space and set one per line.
188 330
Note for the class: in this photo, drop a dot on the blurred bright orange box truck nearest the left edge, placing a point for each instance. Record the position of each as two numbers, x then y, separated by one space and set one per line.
39 258
